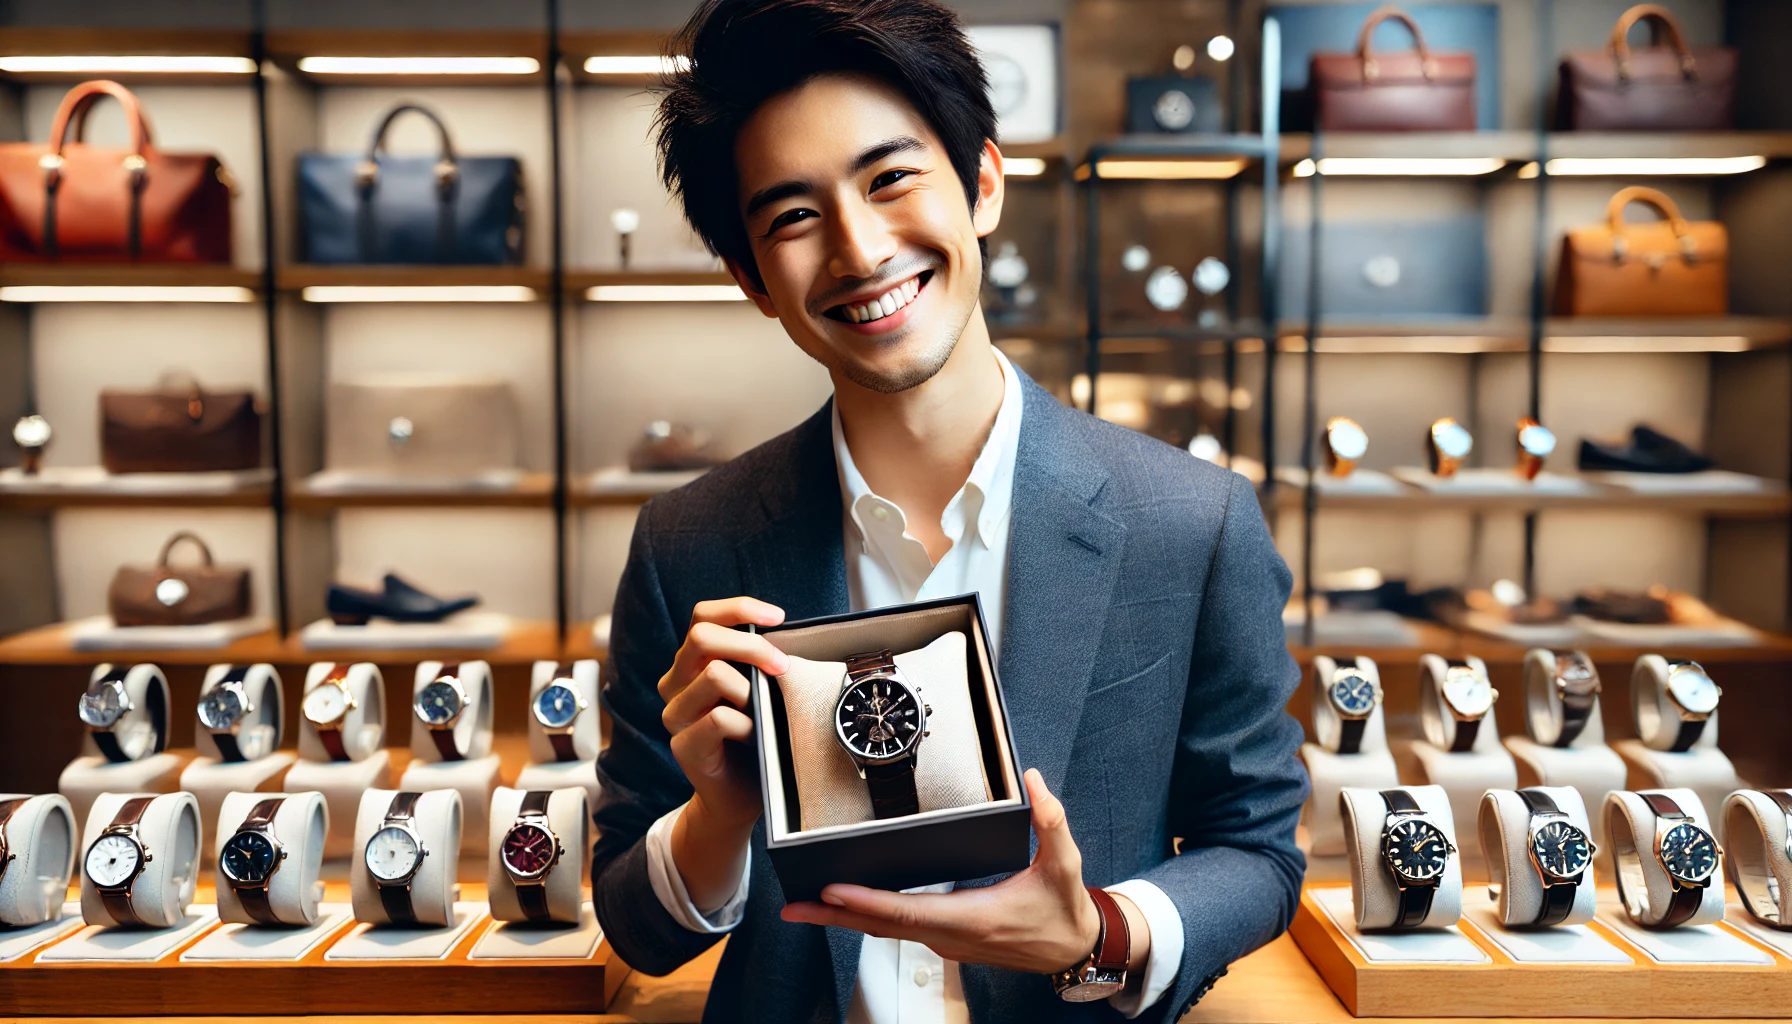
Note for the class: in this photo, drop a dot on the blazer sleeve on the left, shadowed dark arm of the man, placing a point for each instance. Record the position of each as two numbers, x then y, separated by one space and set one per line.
637 774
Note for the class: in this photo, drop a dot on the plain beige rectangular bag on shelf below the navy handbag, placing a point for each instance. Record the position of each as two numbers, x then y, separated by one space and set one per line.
415 428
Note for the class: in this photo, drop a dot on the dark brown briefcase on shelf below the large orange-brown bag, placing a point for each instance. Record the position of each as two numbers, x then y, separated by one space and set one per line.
180 430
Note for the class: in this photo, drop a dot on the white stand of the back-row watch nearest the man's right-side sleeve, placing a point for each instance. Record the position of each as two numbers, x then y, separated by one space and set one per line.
1331 772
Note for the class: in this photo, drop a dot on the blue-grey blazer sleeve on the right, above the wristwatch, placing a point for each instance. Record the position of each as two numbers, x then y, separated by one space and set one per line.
1237 785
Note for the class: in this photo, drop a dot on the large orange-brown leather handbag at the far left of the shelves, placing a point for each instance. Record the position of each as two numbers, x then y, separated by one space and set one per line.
78 202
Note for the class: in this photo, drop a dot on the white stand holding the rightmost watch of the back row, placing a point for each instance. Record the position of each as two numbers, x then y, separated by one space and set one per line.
1705 770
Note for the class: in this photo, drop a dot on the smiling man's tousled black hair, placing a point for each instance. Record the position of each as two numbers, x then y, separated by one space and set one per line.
743 53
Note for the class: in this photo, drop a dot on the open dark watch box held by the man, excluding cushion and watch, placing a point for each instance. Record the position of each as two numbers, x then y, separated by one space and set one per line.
924 849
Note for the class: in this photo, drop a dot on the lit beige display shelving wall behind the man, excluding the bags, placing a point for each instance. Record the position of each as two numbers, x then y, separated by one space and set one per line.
725 369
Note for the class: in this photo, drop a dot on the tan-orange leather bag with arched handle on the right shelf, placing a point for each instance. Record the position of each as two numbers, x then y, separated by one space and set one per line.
1669 268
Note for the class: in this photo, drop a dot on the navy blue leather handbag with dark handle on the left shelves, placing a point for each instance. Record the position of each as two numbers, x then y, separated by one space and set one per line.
383 209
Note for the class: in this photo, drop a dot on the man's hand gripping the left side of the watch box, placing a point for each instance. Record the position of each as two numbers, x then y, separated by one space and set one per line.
705 700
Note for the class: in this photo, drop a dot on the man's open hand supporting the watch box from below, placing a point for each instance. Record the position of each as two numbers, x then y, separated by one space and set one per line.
1040 921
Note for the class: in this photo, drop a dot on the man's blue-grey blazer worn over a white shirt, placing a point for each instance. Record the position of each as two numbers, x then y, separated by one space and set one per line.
1144 666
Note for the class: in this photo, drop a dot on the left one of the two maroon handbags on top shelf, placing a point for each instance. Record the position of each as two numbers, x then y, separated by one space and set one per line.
1411 91
